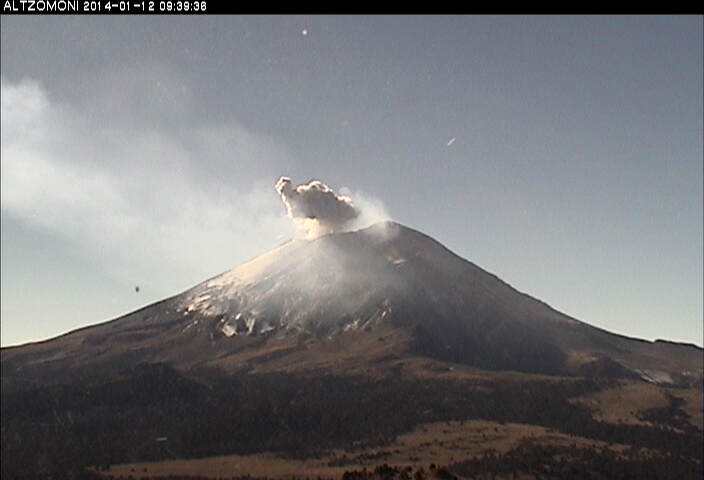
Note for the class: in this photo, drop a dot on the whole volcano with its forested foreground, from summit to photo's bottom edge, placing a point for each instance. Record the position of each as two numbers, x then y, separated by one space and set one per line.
370 354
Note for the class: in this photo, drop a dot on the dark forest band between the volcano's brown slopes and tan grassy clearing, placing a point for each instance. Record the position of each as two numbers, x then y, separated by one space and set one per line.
157 413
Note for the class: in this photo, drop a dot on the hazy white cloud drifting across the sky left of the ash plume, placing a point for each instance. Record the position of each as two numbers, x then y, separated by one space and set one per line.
162 205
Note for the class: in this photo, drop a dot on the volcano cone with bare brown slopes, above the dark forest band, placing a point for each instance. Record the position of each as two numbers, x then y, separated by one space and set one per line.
350 301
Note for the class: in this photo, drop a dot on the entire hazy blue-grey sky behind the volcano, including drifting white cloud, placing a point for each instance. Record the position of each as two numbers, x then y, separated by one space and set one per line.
143 151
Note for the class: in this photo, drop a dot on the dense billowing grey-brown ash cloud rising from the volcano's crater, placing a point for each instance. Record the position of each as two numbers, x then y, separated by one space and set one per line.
315 208
